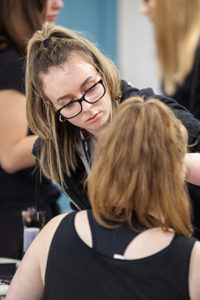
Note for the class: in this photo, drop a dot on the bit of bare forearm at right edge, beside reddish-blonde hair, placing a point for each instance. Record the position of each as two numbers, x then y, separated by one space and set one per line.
192 164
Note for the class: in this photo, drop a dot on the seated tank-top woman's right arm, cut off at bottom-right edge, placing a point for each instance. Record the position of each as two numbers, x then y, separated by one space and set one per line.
194 273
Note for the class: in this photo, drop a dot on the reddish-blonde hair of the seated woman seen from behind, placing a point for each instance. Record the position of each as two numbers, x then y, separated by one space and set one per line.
139 167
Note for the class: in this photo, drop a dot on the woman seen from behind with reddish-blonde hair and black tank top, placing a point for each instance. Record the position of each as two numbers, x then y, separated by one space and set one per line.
136 242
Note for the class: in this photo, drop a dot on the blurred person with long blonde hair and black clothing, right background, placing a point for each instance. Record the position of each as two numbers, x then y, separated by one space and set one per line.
176 26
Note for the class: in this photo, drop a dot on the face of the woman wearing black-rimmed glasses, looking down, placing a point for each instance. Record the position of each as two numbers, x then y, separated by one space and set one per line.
68 82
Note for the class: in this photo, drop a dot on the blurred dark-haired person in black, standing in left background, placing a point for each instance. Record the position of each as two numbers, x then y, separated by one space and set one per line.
18 21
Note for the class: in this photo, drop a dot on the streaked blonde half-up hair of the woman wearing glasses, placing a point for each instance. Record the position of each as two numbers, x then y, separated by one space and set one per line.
60 141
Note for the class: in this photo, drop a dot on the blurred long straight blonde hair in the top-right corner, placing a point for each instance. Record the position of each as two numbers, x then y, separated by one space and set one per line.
177 32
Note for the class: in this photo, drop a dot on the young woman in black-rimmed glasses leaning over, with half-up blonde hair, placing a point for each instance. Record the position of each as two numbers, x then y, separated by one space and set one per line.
73 92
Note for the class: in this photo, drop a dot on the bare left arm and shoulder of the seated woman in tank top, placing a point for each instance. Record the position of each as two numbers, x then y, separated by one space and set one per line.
28 282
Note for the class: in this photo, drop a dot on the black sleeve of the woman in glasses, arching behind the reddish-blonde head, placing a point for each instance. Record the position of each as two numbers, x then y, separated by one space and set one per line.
190 122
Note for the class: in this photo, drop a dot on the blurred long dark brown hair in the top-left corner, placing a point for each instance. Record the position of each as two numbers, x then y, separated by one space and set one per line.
19 19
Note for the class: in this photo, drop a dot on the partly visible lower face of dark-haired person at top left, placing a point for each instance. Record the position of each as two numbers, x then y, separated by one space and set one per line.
53 8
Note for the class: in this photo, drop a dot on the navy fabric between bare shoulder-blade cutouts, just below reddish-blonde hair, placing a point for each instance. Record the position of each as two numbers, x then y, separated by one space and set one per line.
111 241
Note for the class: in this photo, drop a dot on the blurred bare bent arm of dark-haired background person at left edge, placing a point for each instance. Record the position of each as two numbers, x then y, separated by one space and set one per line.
16 146
